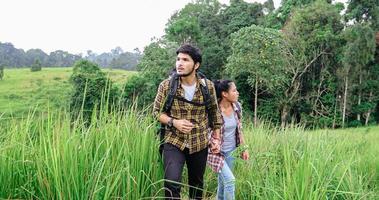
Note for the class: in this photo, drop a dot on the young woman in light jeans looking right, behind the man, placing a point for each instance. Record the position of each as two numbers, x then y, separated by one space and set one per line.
231 137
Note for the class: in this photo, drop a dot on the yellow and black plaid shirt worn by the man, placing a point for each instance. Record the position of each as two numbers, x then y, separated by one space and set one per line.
197 139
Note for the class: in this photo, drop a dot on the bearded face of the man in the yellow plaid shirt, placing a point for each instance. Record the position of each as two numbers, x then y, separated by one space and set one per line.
185 65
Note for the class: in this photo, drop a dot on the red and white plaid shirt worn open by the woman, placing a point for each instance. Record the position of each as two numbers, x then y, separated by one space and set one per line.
216 161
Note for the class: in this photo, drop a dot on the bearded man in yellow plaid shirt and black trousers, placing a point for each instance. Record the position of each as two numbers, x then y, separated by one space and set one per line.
187 124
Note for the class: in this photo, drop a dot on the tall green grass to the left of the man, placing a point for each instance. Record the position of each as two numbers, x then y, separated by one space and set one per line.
52 158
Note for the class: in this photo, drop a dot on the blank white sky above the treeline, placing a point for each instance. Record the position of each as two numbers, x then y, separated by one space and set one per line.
80 25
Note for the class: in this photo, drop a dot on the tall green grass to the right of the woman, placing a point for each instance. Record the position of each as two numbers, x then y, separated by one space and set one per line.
298 164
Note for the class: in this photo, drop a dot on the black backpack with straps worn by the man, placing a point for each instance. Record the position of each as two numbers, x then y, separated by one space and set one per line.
173 85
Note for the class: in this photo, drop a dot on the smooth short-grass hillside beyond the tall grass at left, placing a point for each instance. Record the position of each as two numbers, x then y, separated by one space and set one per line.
22 90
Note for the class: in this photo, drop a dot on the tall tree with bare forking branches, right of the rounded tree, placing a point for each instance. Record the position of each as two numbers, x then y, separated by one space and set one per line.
312 35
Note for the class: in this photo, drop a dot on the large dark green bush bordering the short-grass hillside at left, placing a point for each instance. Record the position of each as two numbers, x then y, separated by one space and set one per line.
91 88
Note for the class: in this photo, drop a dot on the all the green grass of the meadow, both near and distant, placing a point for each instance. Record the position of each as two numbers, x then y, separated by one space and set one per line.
44 155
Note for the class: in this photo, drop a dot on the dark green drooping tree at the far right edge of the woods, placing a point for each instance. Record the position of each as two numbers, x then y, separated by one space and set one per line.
358 68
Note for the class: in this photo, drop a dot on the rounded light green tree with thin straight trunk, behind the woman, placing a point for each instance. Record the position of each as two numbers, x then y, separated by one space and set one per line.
255 59
